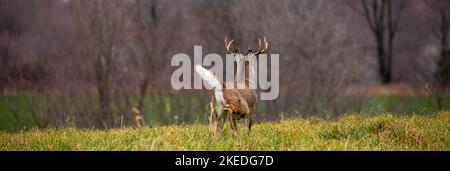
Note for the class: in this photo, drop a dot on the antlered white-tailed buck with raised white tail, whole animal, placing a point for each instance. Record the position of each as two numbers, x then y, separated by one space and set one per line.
239 97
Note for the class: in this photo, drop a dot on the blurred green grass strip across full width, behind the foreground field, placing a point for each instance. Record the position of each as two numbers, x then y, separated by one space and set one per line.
16 110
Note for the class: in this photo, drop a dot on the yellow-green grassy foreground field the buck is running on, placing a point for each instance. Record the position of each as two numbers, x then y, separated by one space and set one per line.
351 132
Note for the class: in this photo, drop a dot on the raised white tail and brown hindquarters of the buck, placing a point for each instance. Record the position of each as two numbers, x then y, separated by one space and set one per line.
225 99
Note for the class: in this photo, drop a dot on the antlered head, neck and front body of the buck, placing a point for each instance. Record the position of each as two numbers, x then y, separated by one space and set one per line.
244 72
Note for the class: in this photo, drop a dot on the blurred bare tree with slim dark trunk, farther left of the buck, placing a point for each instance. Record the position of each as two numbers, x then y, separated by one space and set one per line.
100 26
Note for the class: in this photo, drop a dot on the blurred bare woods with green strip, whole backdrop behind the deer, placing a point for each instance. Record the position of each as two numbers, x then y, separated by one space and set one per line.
86 63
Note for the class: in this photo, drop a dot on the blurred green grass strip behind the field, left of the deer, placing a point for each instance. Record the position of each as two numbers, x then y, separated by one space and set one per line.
25 110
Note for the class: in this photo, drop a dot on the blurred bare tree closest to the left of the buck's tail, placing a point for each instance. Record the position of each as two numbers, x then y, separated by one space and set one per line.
152 38
